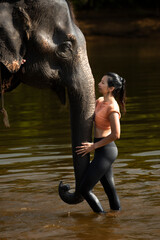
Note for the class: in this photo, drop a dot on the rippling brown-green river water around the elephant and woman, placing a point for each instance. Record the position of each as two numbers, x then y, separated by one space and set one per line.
35 154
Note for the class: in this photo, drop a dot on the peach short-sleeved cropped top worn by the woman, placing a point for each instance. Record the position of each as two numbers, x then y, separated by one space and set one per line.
102 112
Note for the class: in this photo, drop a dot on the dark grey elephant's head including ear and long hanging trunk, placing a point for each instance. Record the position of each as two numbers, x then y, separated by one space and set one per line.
44 33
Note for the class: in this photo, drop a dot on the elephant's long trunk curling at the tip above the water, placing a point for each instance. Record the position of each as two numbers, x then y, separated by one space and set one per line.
82 107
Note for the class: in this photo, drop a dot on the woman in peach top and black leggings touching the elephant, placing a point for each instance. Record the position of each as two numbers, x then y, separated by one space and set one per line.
106 131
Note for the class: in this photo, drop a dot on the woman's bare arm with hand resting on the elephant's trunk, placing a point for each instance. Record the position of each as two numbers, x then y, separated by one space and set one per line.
115 134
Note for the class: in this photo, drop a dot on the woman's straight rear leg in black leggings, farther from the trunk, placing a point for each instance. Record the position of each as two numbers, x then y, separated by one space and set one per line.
107 182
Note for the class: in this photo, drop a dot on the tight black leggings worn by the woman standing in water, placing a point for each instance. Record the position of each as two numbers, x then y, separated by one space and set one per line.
101 169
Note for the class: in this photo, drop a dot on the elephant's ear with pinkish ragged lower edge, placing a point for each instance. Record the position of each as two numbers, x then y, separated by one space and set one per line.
15 26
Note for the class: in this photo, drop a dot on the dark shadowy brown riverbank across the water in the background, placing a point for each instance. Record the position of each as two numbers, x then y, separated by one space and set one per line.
124 23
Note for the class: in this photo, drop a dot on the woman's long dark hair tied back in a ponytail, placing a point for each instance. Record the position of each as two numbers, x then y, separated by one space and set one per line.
119 92
